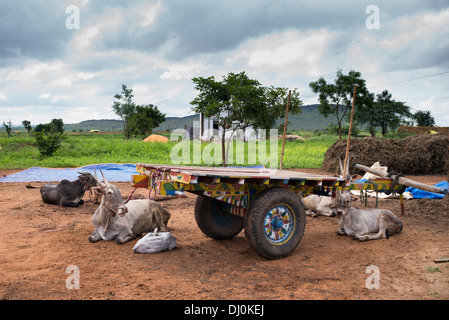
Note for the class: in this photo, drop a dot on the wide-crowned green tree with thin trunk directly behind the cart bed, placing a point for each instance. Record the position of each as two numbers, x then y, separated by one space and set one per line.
239 102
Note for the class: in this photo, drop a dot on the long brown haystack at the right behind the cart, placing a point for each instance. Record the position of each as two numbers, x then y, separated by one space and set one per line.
424 154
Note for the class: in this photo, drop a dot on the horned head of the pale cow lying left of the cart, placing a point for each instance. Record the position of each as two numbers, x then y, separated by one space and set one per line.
111 197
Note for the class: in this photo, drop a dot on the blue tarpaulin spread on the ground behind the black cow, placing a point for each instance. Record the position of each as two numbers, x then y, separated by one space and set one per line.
113 172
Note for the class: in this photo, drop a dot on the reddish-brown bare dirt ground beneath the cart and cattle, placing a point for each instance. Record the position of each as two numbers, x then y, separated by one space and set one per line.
39 241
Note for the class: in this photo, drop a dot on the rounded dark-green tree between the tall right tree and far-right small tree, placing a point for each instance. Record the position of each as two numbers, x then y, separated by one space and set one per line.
385 113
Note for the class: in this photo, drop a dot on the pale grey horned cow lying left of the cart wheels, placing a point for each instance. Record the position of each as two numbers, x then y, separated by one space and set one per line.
115 220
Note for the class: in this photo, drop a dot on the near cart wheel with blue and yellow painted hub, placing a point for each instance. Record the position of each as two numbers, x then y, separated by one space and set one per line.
275 222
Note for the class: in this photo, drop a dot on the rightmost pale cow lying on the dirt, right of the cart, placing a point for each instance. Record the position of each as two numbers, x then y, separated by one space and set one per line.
366 224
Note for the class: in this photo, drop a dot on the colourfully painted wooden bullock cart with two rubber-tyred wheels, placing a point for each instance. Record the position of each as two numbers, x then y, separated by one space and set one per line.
262 201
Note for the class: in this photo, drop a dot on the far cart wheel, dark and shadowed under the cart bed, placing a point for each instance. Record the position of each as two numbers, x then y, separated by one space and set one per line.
215 220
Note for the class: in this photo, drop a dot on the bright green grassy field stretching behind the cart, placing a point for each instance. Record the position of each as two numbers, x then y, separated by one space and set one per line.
19 152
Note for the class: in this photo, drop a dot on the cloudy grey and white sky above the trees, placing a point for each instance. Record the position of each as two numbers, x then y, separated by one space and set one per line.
51 67
